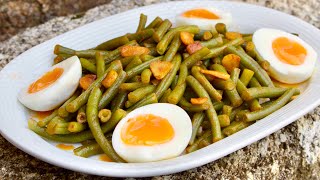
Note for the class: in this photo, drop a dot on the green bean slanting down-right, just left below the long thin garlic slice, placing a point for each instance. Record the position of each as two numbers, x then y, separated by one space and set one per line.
213 93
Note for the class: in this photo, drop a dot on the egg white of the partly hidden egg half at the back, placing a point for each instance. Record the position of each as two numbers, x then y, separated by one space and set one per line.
206 24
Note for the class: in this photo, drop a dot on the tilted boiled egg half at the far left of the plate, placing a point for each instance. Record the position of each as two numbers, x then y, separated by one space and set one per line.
54 87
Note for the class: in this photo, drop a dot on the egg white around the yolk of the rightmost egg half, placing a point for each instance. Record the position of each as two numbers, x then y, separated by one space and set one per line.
279 70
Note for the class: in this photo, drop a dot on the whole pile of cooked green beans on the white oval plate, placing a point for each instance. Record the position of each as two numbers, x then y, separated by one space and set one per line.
232 104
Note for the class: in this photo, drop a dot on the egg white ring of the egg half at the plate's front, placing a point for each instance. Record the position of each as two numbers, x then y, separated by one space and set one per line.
179 120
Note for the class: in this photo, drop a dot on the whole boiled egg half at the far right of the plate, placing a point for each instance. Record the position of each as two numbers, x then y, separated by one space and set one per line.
291 59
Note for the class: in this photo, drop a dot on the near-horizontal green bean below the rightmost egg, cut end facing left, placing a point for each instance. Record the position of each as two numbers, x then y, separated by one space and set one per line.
266 92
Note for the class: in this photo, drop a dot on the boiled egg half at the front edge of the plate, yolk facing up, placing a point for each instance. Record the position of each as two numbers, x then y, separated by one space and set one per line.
152 133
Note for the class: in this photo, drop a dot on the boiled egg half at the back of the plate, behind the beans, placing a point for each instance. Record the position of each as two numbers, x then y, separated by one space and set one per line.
204 18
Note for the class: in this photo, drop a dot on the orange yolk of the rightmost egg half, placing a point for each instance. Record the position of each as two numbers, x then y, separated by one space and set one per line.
288 51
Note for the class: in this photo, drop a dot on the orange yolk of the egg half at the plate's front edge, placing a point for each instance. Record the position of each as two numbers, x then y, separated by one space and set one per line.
147 129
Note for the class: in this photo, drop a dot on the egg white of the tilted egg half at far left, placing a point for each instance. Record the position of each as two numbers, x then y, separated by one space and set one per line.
56 93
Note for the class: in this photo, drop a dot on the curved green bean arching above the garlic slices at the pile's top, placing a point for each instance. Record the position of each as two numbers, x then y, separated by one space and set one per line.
167 38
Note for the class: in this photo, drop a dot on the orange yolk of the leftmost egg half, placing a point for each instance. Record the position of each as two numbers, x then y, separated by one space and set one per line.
46 80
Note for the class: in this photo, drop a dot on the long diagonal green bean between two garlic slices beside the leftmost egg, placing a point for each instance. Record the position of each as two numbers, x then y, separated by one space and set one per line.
83 98
